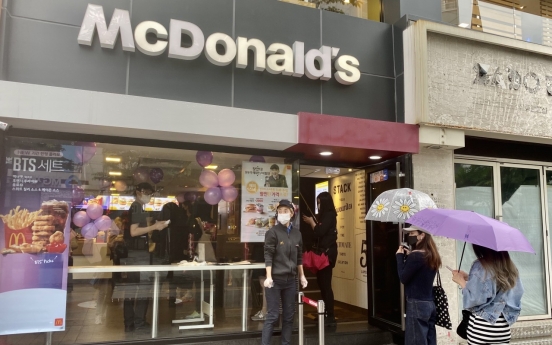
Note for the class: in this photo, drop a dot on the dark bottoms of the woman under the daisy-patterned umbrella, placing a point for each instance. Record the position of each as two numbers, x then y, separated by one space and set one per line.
420 322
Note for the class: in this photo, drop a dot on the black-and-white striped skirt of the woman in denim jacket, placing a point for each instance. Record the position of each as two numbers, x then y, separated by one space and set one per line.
482 332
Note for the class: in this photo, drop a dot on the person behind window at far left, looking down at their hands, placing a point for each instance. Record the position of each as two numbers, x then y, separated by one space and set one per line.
138 291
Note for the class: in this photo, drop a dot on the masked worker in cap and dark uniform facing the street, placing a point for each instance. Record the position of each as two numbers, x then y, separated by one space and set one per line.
283 261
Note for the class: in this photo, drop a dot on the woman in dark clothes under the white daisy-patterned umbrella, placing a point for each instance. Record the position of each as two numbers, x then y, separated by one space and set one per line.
417 272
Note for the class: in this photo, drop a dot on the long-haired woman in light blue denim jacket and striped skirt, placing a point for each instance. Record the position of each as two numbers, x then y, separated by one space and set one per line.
492 293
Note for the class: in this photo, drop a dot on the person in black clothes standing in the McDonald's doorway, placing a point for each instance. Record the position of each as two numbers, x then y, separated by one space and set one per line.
326 233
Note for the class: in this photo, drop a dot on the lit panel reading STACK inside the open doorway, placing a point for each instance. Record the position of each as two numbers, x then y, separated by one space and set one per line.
343 195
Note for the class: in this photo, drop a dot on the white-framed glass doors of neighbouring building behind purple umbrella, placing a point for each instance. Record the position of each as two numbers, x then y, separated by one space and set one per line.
518 195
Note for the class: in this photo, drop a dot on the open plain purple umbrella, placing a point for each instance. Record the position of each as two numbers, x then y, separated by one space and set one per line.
472 227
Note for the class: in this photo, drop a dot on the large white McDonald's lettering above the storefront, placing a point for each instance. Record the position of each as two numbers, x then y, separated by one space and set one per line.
278 58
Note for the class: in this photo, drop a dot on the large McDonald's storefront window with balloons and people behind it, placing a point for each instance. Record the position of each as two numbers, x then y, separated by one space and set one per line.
112 204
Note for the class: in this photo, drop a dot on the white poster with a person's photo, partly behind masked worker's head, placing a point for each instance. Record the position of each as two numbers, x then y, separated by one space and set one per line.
263 186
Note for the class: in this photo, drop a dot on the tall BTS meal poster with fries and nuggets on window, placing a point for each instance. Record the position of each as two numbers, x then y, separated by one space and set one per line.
35 235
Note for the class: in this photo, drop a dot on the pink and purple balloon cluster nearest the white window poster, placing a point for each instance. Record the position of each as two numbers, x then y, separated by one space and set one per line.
219 187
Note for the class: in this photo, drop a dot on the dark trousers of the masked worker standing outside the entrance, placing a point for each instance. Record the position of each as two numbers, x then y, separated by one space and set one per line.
284 291
